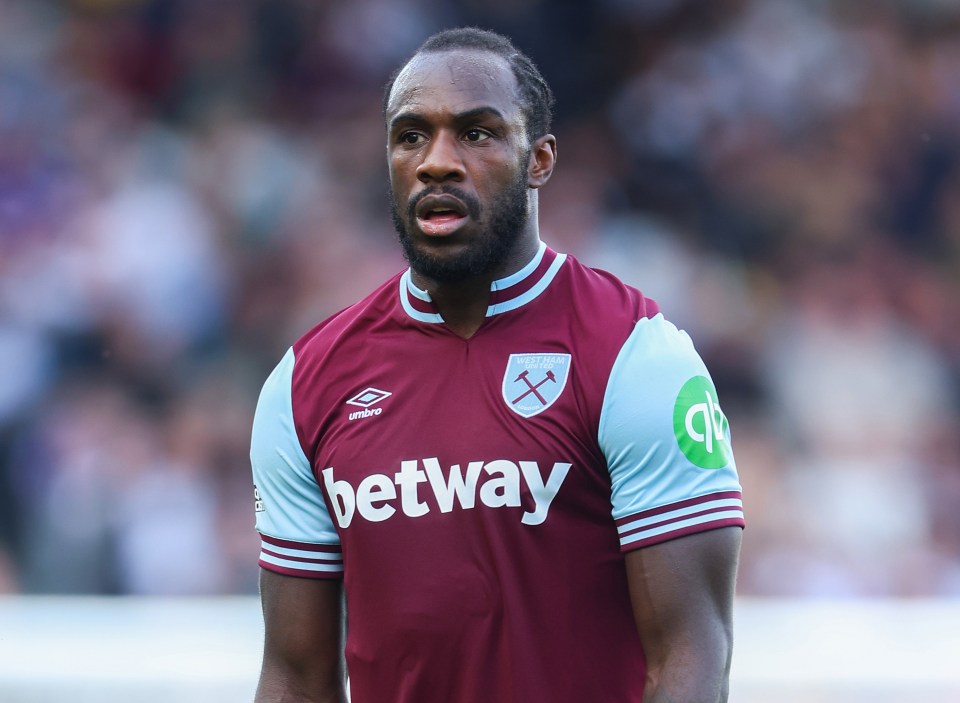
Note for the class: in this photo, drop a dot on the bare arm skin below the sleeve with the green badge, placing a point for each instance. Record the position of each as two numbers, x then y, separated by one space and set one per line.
682 595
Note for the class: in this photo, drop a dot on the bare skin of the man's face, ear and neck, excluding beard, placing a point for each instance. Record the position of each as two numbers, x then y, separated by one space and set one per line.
459 123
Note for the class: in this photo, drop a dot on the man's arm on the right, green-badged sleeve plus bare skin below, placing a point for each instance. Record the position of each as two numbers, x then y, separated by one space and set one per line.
676 500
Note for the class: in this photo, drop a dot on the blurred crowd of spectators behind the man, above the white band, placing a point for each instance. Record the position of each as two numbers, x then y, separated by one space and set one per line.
188 185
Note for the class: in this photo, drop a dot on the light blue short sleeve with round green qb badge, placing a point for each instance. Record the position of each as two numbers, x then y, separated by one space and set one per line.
666 441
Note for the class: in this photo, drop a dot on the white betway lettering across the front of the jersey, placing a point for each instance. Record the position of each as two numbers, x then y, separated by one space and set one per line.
376 498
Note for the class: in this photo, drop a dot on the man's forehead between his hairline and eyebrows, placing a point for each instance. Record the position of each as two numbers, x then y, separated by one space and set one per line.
453 82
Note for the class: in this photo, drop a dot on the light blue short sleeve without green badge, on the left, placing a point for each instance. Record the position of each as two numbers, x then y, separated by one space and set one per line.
297 535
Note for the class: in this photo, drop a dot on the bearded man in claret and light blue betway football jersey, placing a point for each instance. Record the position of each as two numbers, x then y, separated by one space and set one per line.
516 470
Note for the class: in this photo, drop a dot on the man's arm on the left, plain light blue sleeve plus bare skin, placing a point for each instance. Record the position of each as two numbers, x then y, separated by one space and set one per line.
301 560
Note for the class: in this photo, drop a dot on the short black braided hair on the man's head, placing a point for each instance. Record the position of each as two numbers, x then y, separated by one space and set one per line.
537 106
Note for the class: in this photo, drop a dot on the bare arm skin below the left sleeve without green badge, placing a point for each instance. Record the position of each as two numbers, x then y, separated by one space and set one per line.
303 646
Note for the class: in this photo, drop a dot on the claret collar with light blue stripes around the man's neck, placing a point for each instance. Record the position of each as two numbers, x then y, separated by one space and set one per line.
510 293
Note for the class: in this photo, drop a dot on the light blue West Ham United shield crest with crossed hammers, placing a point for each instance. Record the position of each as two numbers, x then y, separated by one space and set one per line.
533 382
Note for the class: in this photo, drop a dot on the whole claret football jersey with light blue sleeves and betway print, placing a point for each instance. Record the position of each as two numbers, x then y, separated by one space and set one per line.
476 495
